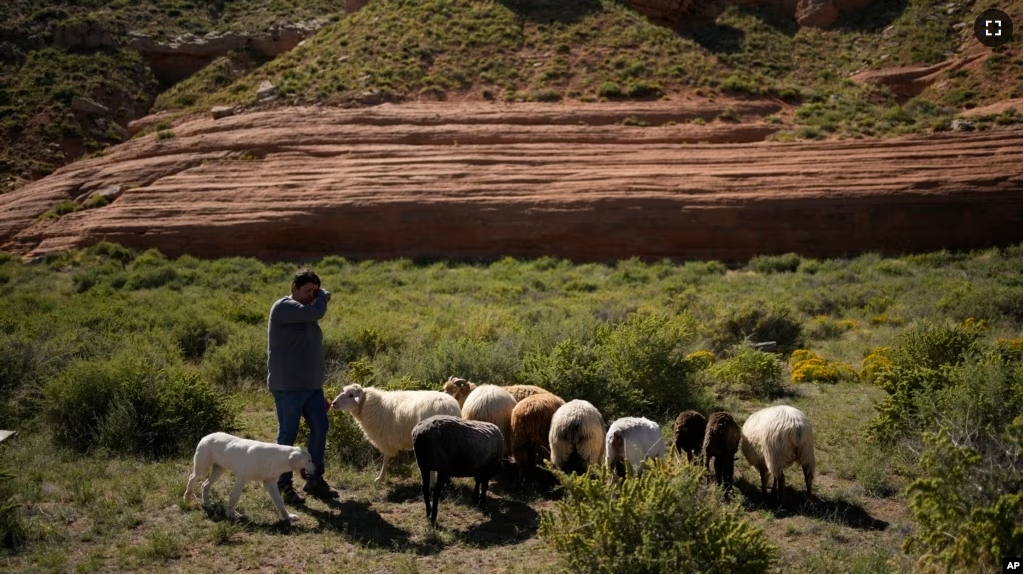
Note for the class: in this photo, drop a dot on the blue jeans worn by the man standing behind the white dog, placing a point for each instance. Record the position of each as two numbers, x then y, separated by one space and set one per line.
311 406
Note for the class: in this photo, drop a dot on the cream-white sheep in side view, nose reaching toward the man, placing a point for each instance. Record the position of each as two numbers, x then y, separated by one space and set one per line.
388 418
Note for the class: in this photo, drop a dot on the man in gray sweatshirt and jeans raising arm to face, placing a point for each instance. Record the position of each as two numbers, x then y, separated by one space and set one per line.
295 377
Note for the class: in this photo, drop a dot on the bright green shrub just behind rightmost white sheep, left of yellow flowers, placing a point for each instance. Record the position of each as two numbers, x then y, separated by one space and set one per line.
749 374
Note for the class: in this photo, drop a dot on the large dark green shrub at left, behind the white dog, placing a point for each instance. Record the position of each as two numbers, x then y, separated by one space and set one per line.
133 405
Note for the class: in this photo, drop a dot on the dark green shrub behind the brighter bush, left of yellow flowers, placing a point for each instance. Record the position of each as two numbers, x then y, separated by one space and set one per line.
757 323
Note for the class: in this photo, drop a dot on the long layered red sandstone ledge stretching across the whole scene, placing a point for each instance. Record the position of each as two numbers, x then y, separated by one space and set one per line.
587 183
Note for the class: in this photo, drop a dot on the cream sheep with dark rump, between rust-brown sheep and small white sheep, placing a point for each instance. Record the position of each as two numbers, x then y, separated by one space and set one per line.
577 437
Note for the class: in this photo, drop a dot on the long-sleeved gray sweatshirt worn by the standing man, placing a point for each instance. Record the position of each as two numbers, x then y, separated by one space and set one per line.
295 348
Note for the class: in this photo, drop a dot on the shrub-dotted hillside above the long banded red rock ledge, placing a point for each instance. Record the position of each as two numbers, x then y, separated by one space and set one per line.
581 51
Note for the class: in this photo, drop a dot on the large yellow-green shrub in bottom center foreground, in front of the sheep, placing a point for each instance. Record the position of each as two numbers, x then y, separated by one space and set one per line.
666 521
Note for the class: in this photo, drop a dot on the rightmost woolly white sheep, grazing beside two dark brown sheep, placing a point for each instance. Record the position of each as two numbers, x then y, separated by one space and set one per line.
775 438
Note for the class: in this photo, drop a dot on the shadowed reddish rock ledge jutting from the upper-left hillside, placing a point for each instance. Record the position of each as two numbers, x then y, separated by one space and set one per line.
177 60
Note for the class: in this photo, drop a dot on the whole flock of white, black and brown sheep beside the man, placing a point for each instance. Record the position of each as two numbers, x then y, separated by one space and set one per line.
468 429
